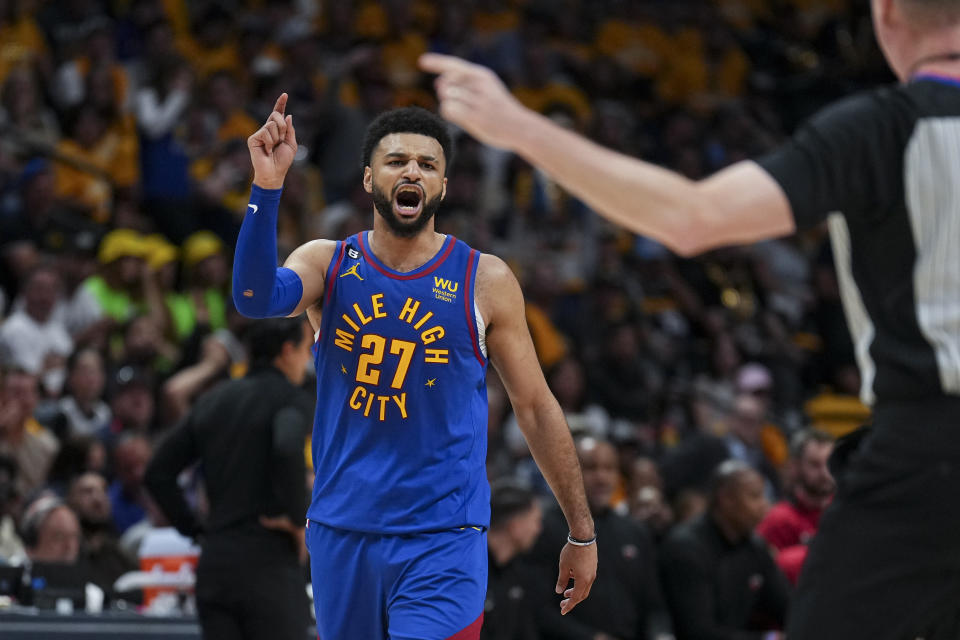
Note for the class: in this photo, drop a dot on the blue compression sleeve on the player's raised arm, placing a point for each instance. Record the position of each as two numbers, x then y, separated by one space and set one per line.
260 288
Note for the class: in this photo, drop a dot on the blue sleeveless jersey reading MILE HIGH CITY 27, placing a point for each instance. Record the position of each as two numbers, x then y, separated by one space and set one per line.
400 435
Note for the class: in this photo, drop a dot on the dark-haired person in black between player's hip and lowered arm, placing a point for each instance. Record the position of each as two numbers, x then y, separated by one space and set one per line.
516 521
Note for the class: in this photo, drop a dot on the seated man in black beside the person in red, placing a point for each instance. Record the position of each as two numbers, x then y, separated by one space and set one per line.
718 576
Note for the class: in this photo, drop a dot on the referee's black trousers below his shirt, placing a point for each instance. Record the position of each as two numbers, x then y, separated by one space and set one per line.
885 563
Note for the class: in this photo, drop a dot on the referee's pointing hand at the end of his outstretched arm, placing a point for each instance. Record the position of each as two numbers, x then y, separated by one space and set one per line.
474 98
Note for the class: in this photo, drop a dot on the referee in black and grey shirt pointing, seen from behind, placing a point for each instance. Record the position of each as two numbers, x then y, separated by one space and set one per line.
882 168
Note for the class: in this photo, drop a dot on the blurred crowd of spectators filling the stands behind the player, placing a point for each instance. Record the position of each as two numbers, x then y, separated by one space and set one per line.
124 176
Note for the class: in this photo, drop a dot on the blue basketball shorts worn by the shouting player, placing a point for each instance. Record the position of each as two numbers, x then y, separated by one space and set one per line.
424 586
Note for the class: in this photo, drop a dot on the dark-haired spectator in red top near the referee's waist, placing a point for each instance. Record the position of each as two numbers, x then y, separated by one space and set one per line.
791 524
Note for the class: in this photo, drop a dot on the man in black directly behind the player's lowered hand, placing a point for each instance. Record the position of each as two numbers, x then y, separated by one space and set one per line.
627 603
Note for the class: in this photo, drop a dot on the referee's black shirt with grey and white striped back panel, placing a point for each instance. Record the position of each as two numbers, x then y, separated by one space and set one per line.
883 168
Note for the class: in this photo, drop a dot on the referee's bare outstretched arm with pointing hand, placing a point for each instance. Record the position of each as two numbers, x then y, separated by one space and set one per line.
741 204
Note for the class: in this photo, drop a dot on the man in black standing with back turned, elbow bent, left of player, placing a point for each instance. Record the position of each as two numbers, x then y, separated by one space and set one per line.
248 435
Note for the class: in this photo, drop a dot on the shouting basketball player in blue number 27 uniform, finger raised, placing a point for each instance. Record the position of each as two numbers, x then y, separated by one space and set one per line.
407 320
